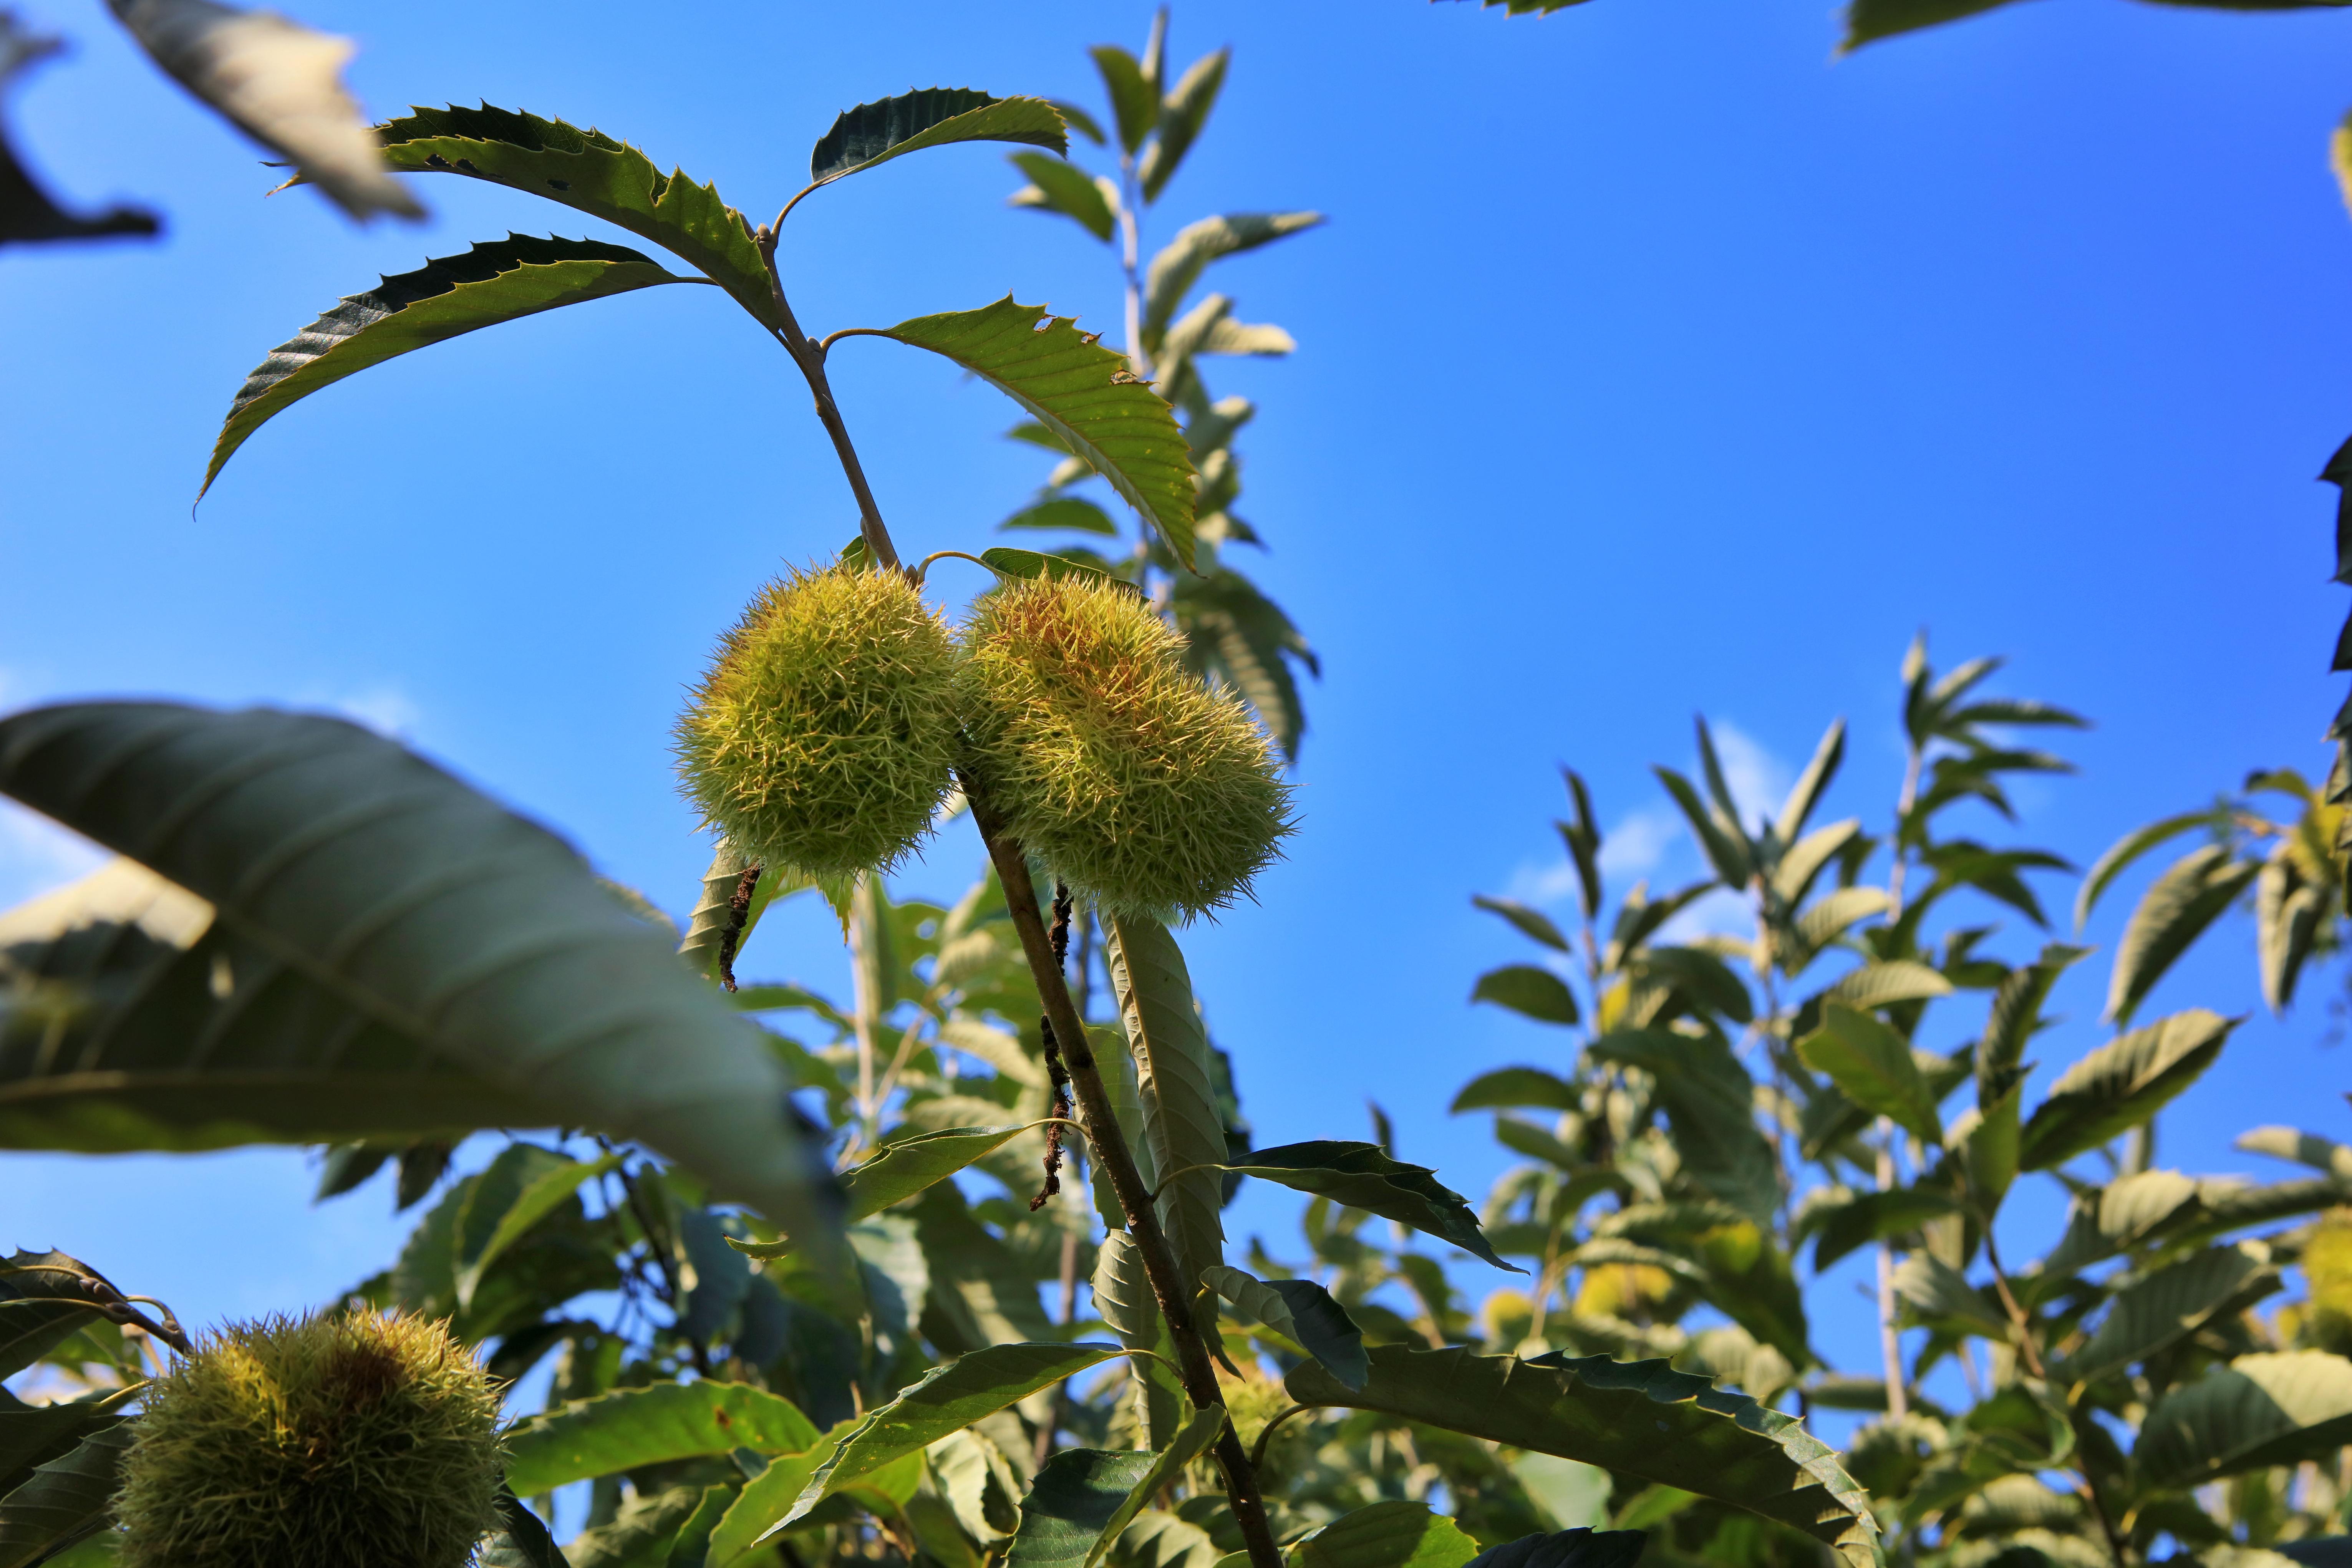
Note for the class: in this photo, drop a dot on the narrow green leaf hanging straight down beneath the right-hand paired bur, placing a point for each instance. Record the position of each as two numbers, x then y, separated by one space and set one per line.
1175 1085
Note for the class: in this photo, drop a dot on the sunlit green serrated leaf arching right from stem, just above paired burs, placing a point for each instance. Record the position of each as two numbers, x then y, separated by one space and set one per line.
1083 394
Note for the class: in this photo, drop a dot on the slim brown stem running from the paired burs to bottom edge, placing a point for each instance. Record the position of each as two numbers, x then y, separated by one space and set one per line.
1118 1162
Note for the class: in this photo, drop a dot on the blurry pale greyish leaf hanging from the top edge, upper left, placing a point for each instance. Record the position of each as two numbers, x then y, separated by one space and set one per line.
279 83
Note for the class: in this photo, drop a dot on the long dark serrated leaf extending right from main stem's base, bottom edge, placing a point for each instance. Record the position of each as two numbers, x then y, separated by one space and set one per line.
1641 1419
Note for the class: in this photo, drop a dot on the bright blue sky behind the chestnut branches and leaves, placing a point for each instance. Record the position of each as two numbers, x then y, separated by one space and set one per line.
1652 363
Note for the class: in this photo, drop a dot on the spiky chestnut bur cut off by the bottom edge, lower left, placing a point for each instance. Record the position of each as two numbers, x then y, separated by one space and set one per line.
359 1440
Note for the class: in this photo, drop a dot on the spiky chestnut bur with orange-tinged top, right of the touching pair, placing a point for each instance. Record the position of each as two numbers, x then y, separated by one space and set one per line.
1140 786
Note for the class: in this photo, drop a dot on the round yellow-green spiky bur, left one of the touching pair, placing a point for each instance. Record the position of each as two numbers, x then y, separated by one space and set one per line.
824 732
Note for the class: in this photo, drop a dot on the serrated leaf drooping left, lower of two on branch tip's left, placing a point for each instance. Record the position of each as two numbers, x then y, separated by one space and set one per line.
443 300
